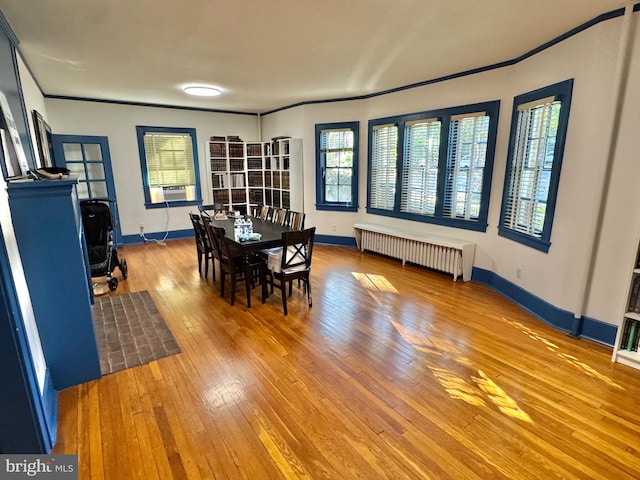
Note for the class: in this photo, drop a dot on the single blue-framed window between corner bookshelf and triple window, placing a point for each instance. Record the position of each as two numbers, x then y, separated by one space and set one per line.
337 166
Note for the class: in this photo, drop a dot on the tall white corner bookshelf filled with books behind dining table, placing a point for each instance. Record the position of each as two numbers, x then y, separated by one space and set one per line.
244 174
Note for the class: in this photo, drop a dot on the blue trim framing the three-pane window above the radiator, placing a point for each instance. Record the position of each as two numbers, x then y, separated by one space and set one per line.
492 108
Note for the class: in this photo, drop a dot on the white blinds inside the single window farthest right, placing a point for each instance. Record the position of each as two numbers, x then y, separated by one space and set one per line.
530 173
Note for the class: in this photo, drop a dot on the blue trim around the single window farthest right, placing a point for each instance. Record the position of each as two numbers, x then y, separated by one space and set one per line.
562 91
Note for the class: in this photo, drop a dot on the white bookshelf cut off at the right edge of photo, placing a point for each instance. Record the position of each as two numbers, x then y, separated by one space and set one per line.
625 349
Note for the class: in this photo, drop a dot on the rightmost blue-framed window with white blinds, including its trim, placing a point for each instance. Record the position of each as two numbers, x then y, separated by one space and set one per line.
536 145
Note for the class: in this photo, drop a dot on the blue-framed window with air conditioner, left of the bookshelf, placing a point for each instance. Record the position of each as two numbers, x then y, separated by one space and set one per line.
169 159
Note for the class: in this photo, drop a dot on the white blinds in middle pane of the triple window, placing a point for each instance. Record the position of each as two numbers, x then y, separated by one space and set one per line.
420 169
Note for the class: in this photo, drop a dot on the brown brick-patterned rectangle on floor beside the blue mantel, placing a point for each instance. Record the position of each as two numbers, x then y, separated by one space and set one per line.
130 331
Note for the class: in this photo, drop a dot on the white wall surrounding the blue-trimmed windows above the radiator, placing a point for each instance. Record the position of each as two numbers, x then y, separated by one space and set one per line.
589 58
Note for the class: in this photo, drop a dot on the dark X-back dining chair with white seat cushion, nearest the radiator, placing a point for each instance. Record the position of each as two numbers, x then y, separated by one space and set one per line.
291 262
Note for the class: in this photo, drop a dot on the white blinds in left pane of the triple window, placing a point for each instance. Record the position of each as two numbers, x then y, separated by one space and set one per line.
383 170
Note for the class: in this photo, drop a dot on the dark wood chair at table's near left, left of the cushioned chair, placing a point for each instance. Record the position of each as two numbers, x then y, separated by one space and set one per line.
233 263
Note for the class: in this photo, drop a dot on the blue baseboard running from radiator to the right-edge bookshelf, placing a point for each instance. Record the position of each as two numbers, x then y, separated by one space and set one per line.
584 327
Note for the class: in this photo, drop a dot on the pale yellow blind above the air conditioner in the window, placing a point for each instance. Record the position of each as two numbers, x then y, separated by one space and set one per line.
169 159
